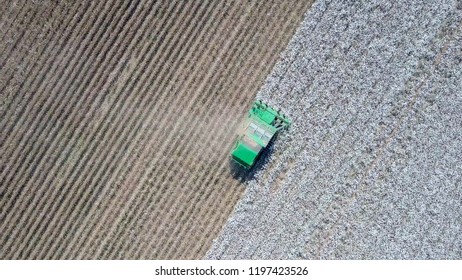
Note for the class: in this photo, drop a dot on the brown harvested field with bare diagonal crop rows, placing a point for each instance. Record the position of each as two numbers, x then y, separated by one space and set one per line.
117 117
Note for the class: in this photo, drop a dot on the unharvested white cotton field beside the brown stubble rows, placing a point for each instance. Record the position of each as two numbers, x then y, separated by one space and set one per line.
372 166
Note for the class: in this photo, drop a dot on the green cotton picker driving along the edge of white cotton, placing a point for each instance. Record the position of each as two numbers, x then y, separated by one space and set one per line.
262 123
